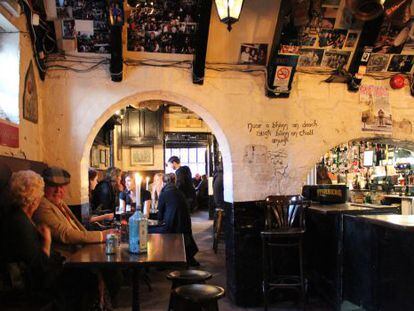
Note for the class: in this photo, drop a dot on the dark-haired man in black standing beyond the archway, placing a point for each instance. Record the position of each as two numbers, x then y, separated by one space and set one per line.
184 181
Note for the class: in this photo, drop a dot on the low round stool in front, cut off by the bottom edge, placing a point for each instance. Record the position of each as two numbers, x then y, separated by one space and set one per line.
198 297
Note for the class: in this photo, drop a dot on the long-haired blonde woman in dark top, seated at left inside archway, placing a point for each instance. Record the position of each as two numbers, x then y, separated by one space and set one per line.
106 194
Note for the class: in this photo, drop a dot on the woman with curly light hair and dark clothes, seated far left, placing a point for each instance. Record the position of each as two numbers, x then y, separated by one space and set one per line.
21 241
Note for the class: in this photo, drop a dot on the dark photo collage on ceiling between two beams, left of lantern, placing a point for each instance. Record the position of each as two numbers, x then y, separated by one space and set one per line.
163 26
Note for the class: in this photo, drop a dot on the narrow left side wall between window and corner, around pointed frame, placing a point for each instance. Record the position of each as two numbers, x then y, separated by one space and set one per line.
30 140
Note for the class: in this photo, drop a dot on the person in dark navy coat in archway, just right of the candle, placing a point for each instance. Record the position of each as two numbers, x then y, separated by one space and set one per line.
174 217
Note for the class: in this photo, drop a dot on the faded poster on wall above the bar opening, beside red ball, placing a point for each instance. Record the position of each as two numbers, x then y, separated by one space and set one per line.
377 116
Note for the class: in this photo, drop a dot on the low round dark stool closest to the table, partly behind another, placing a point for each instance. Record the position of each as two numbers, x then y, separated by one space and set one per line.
185 277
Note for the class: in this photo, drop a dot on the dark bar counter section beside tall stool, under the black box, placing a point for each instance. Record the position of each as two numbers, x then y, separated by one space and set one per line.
324 245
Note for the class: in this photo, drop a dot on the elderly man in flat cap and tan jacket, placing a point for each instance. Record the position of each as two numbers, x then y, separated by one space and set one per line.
54 212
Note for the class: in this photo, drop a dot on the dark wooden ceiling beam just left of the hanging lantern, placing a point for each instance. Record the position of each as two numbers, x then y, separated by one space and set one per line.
199 63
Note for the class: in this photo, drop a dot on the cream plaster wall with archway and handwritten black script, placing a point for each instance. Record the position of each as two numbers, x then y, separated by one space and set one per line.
79 104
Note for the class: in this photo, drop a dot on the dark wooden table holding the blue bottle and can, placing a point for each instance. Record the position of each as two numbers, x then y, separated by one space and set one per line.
164 250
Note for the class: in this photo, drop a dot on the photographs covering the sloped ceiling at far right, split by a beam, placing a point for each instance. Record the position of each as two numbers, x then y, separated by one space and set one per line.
327 37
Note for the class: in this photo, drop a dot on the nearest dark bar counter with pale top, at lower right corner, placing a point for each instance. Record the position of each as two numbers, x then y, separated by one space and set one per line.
378 261
